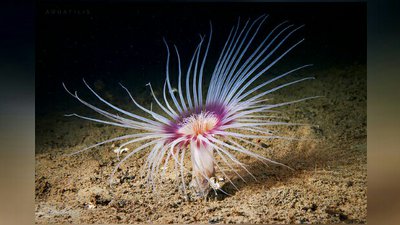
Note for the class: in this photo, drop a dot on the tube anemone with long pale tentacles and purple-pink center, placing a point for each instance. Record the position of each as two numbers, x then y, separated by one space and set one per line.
212 122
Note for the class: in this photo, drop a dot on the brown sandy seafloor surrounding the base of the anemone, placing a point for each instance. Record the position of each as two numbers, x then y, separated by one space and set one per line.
328 183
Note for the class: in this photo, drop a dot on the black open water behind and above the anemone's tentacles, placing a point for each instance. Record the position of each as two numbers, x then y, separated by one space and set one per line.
122 42
